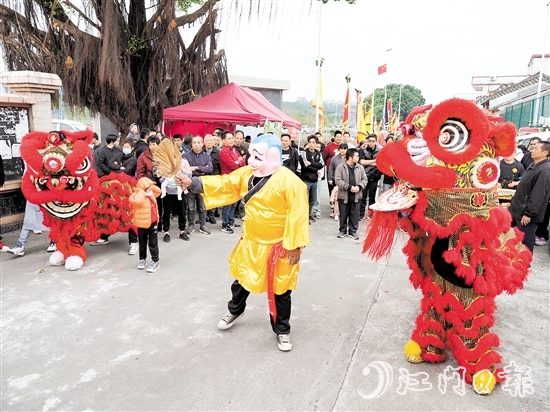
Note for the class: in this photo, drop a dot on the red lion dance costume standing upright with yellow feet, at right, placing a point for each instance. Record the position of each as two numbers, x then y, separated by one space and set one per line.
462 250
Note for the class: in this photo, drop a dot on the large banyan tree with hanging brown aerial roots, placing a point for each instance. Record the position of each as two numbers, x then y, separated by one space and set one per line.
125 59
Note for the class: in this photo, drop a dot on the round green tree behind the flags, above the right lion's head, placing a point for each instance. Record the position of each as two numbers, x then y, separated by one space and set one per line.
410 98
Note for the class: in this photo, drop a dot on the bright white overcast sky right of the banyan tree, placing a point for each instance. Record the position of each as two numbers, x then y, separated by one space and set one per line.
437 45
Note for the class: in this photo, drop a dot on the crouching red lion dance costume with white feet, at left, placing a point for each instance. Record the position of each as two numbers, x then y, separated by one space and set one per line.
78 207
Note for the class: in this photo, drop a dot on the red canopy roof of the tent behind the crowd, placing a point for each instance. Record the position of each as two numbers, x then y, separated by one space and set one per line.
230 104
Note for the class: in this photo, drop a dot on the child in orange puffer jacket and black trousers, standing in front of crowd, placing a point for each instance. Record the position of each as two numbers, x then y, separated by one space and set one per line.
146 218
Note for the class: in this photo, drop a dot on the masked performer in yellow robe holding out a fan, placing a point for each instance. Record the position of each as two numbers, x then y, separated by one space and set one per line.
275 229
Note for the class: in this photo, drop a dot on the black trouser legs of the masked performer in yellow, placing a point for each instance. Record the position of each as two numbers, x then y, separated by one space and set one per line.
238 303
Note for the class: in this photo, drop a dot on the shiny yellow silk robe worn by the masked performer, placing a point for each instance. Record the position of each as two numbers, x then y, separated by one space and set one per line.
279 212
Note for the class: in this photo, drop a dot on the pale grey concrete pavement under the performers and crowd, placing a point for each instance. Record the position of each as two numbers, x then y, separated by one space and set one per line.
110 337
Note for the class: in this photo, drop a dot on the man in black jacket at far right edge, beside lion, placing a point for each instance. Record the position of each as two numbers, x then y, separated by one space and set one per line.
533 191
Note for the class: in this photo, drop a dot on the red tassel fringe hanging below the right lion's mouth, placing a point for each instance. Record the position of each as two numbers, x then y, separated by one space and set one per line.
380 234
